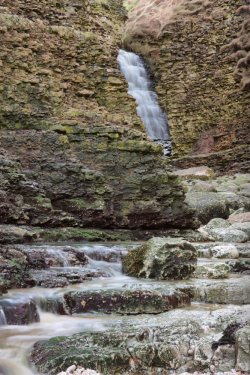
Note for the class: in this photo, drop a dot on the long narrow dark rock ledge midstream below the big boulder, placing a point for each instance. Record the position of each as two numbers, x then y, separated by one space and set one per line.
125 301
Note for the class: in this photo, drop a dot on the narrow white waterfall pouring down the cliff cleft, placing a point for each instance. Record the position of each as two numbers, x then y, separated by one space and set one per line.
148 109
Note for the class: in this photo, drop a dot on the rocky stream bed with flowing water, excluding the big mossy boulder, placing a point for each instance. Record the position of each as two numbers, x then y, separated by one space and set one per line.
82 310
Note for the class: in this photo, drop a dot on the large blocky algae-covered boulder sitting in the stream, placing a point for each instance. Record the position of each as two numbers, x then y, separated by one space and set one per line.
161 258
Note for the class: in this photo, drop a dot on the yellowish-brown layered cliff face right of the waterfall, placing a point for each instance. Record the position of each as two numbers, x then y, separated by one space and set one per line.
198 52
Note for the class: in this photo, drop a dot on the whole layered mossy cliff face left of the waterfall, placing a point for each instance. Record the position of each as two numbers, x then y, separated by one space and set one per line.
72 150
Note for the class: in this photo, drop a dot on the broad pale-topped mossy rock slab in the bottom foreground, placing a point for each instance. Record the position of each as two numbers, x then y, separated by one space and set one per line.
176 340
